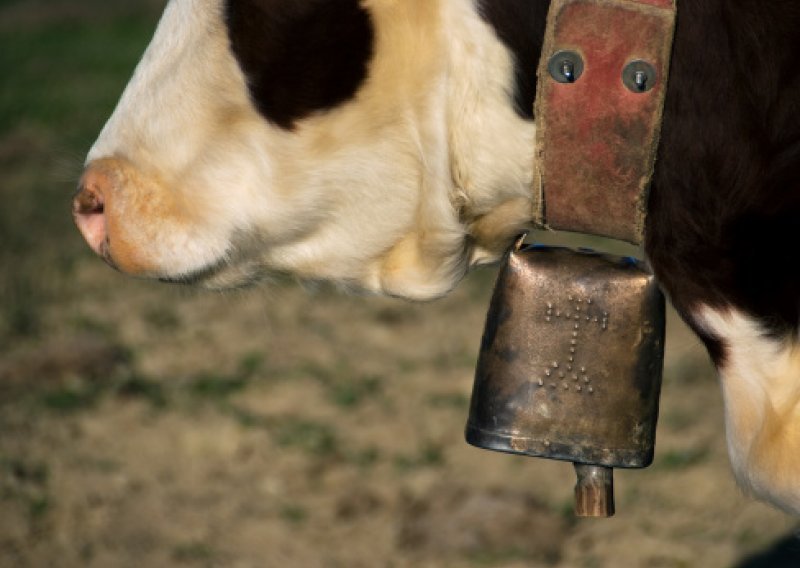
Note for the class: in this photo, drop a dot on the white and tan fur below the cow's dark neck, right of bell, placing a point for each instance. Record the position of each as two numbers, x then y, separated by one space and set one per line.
760 378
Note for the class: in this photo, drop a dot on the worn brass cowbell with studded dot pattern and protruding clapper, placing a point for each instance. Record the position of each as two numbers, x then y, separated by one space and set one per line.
570 365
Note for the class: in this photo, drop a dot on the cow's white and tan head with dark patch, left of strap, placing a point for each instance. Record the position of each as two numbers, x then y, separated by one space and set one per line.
362 142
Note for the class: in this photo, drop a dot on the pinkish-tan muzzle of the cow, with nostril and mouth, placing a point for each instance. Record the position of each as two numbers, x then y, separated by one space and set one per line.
145 225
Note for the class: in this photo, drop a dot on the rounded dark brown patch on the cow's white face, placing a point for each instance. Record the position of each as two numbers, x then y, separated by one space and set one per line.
300 56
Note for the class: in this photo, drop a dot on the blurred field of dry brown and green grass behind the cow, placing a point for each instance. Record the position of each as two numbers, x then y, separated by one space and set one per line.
289 425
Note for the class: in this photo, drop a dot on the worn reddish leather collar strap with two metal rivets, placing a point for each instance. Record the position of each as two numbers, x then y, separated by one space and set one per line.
596 137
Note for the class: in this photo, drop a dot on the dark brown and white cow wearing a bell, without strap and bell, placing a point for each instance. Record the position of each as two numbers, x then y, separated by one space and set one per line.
388 145
